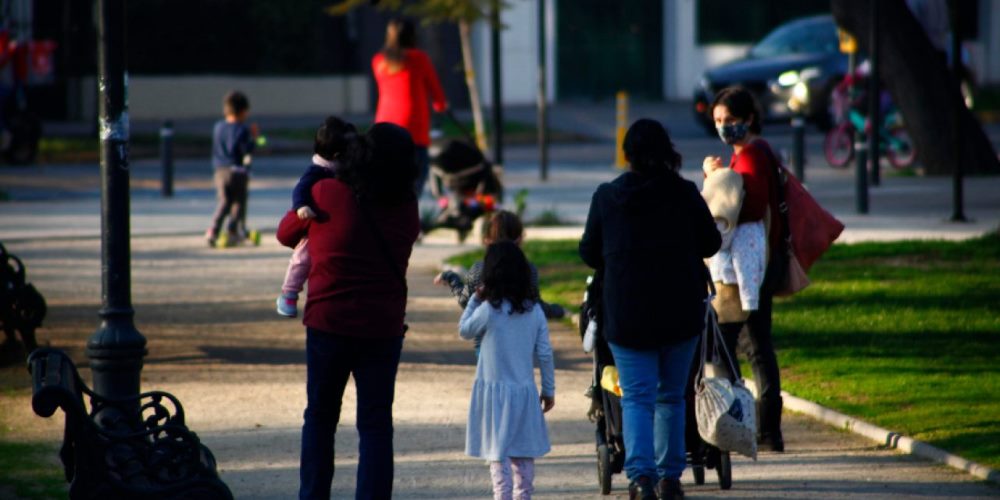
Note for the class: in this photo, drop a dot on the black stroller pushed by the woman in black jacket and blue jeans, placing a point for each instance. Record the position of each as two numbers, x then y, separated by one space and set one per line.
606 409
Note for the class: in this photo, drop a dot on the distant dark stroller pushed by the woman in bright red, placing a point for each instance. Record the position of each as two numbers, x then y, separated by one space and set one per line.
465 184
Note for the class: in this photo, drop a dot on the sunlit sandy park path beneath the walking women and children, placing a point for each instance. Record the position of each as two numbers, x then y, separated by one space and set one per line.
238 368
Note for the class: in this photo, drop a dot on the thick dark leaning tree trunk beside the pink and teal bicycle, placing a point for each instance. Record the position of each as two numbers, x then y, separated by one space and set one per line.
922 86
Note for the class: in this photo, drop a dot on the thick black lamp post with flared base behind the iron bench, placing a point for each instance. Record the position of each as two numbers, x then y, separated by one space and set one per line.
116 349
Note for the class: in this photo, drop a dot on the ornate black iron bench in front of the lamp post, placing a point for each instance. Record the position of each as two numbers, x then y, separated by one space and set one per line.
135 448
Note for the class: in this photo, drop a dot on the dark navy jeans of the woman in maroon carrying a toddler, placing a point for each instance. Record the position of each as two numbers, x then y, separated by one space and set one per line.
330 360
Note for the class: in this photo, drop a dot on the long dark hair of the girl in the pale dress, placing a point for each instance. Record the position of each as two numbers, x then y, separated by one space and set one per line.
507 275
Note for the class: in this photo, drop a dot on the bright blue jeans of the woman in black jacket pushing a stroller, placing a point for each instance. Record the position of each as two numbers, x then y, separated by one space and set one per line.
653 383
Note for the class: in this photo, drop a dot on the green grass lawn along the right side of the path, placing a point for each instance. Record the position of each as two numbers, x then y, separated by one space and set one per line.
905 335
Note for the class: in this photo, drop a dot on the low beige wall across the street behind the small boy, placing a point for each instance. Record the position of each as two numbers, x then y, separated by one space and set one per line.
182 97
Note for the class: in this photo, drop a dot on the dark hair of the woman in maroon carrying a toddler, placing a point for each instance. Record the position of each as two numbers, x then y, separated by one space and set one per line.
381 165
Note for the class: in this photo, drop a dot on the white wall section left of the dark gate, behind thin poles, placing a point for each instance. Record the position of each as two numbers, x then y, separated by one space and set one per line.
518 54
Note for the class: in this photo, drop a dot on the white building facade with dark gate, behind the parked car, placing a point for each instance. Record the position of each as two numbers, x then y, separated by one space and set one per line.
658 49
